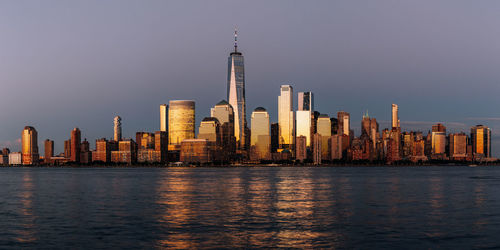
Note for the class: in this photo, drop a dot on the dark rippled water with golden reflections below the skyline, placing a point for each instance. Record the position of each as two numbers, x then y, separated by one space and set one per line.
358 207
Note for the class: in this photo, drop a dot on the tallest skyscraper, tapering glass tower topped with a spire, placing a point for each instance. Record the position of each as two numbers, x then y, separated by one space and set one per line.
236 93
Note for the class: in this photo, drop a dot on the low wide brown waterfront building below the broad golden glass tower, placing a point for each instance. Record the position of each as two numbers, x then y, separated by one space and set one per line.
195 151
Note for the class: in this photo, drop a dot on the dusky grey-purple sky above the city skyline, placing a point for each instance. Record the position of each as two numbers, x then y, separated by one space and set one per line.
66 64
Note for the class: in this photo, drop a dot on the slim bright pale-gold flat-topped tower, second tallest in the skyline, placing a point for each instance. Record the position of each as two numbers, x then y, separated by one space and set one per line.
286 118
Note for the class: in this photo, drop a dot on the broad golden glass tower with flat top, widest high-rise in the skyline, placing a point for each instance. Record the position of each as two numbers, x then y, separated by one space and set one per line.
181 119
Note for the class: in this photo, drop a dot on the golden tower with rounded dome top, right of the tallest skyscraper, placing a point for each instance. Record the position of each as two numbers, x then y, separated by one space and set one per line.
260 142
